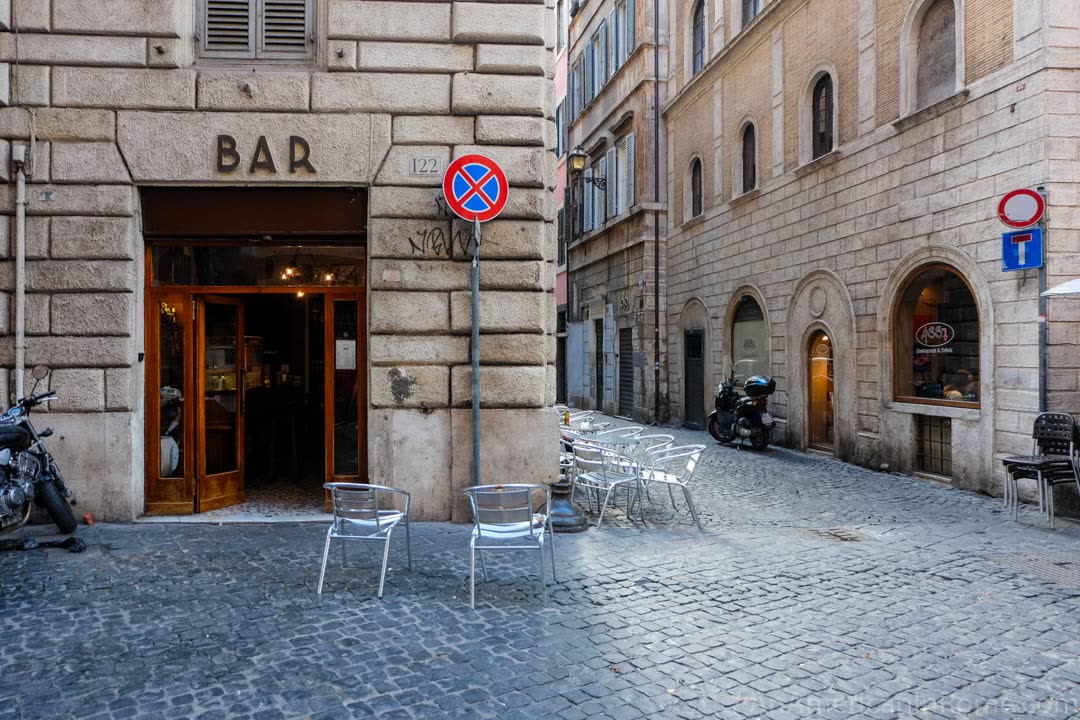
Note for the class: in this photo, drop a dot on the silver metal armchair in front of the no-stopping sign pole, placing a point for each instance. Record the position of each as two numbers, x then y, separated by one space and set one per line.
504 513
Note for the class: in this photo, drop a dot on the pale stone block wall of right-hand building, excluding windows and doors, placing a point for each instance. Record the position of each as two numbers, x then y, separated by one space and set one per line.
832 243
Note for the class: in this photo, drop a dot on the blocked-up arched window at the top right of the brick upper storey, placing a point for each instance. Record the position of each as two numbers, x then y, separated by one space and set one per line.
936 55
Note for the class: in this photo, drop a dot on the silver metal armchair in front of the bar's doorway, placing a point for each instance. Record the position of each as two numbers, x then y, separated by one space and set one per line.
367 512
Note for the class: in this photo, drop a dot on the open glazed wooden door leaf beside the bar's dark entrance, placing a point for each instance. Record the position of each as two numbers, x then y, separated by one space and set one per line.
220 361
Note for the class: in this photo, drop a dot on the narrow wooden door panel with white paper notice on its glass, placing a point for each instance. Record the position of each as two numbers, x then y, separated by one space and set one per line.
346 389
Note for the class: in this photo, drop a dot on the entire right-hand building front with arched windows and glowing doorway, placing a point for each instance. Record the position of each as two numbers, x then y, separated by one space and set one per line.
835 171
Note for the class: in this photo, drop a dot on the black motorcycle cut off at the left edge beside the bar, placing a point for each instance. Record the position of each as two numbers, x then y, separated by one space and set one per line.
29 473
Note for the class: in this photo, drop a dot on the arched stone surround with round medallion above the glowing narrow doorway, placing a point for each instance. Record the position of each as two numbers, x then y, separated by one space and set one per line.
821 303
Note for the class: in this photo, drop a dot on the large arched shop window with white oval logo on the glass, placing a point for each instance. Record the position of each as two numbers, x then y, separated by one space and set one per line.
936 334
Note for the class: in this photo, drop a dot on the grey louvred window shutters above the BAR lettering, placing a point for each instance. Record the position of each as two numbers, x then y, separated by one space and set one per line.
256 30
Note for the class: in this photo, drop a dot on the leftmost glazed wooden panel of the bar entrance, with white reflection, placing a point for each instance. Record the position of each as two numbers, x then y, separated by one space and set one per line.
170 415
